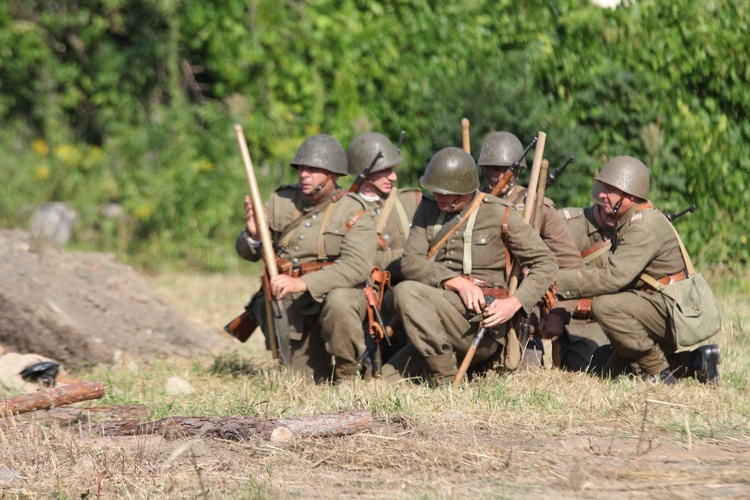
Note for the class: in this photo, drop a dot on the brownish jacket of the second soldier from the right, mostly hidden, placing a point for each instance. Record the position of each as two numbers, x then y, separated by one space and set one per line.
554 231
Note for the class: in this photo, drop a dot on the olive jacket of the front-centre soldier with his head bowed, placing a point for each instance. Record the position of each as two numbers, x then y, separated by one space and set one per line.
486 246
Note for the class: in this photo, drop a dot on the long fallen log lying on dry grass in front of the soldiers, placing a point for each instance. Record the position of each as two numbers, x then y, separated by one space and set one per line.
236 428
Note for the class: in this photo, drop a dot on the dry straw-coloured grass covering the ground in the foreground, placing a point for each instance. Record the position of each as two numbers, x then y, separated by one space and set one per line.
536 434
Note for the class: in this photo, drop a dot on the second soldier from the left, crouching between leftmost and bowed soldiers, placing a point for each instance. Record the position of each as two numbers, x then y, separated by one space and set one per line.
393 211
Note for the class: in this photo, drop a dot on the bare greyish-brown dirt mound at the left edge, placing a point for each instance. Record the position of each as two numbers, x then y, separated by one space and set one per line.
84 308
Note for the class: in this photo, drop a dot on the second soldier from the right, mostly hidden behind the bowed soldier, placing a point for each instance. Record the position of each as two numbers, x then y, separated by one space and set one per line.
498 153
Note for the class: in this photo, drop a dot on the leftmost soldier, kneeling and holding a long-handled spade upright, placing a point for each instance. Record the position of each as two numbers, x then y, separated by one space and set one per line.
328 240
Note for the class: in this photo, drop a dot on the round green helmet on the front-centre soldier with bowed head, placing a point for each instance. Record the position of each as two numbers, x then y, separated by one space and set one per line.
451 171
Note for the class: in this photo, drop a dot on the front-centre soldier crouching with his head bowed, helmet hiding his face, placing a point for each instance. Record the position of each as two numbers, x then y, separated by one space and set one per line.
454 259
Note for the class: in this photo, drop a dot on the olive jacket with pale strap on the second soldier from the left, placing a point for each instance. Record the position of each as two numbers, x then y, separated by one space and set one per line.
395 230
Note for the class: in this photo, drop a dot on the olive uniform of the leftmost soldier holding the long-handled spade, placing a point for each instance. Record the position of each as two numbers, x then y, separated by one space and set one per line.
342 232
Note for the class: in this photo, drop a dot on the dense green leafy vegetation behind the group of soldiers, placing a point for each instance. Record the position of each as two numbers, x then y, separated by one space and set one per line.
132 103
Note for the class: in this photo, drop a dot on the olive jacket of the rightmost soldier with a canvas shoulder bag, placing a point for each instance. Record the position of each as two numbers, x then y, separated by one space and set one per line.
645 242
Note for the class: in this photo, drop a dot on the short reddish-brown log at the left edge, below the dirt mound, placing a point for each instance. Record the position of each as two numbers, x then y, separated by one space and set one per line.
51 398
